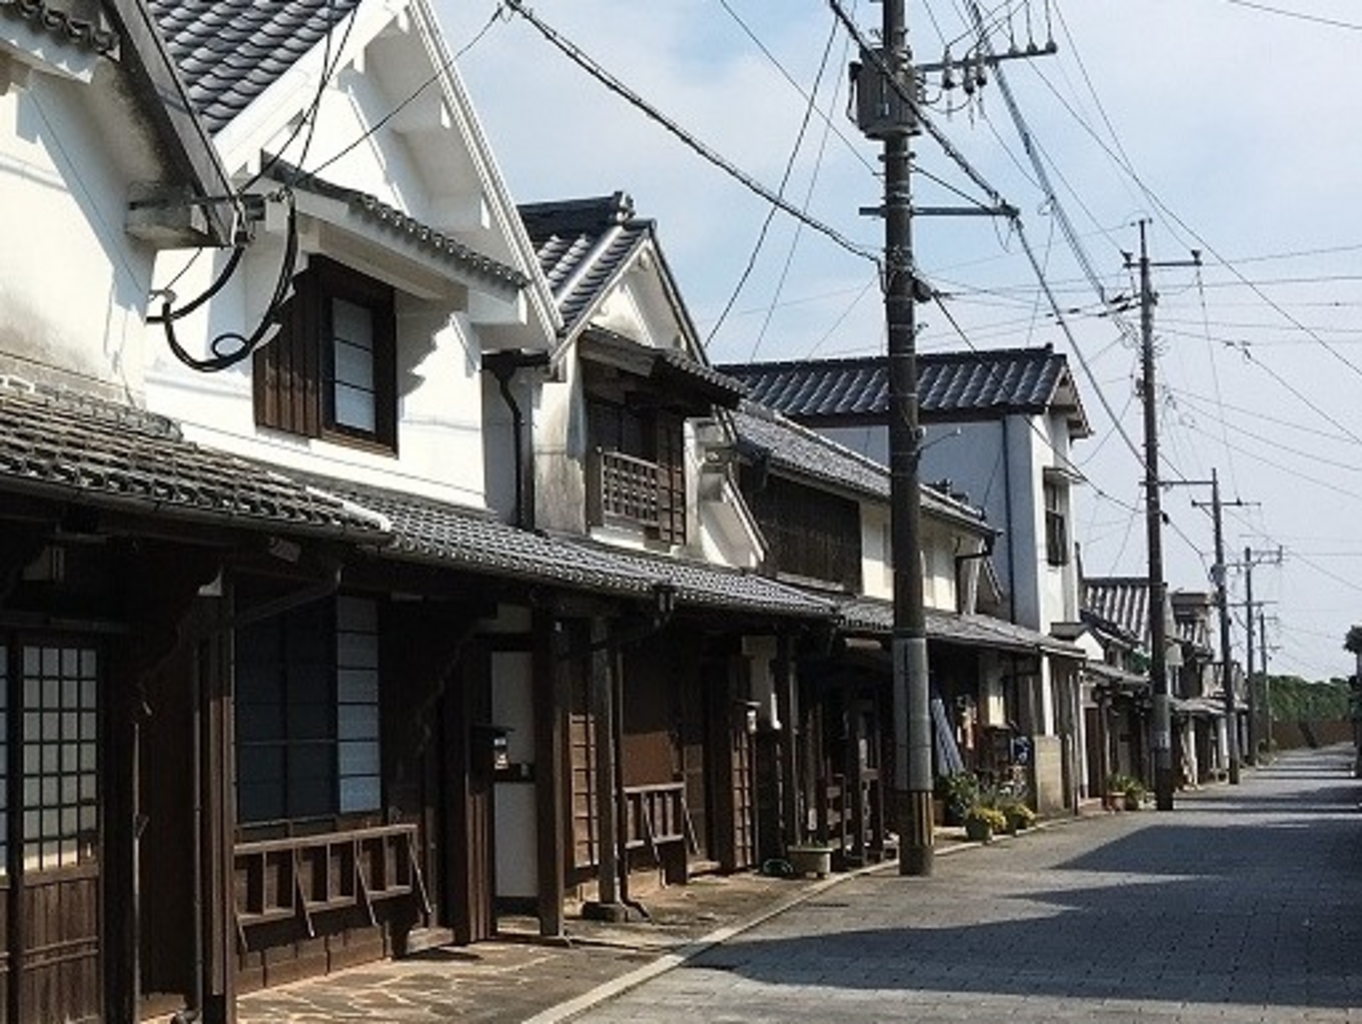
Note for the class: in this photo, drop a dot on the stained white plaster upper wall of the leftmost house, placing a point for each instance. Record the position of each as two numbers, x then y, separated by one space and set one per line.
73 281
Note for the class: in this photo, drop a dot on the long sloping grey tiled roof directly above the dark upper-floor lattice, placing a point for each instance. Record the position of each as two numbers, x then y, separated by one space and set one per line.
810 454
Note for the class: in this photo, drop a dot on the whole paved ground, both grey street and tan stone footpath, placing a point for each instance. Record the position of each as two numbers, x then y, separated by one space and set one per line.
1240 906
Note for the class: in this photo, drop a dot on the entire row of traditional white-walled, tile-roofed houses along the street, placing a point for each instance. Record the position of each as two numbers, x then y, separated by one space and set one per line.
379 556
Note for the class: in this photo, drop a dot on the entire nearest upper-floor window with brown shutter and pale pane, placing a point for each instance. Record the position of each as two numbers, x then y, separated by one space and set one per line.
332 371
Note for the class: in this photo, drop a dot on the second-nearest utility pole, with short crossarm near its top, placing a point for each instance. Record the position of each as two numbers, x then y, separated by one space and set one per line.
1162 725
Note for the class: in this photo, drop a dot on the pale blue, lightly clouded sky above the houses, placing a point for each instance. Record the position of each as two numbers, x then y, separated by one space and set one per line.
1228 126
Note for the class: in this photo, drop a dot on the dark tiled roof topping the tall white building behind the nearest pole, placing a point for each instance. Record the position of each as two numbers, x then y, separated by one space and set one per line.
951 386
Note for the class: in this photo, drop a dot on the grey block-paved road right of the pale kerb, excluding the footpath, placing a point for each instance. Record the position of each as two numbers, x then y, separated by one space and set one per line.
1244 905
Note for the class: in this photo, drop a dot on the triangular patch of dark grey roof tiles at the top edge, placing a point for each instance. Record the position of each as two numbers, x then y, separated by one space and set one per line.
231 51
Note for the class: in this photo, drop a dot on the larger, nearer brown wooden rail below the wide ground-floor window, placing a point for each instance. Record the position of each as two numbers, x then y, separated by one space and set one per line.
300 876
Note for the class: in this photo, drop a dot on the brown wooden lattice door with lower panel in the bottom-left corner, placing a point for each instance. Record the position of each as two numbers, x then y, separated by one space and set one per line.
50 707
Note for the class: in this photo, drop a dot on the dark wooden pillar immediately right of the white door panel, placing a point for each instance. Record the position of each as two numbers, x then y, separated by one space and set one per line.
551 703
